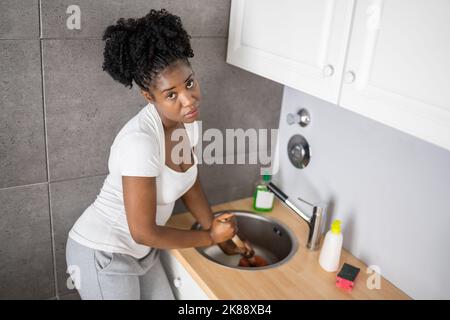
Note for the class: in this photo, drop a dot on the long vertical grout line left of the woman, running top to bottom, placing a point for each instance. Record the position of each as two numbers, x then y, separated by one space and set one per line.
52 233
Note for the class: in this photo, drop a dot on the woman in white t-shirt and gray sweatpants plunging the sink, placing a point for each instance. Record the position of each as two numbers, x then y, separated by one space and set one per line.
113 249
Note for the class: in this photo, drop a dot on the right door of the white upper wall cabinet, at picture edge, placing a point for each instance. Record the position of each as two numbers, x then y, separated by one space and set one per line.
398 66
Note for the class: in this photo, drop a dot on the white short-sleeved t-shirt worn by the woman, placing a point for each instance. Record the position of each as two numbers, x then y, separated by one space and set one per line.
137 150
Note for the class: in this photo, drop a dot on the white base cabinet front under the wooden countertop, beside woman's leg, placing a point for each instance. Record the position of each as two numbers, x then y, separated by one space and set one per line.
184 287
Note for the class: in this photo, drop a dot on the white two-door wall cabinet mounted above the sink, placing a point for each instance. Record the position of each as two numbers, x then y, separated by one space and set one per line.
390 58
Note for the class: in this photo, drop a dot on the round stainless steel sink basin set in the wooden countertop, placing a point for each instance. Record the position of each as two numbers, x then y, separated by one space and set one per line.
271 240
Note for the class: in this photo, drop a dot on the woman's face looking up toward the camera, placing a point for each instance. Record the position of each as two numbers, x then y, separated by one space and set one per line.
176 94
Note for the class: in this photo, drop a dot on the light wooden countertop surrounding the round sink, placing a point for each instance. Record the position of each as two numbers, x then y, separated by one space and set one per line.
299 278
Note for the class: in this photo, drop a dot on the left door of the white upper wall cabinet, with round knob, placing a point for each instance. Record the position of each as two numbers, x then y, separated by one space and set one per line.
299 43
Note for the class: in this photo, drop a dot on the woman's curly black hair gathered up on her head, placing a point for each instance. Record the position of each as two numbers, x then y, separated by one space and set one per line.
139 49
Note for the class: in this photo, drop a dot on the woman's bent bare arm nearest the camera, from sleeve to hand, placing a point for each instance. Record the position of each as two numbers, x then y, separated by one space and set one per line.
140 206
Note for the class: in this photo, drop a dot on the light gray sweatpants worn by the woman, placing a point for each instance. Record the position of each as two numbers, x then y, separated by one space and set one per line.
100 275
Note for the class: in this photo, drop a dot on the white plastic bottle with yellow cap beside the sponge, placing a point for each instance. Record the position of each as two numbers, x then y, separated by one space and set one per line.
330 254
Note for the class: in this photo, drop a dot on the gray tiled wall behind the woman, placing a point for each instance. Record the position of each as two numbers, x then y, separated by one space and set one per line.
60 113
